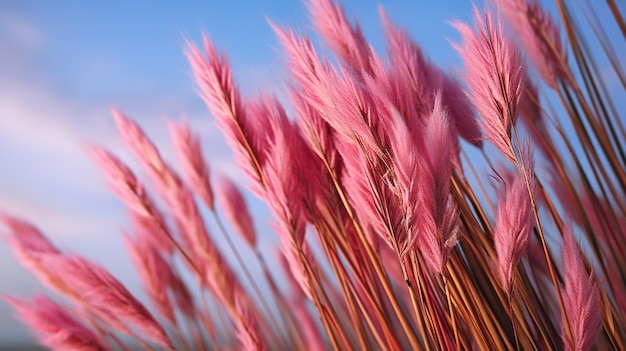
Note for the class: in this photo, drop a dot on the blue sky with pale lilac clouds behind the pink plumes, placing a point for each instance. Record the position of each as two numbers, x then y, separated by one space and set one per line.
63 64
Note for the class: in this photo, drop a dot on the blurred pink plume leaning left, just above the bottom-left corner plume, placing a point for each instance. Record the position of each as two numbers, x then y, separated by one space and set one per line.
106 295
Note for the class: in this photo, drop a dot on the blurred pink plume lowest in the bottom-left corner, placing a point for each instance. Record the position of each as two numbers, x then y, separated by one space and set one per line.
56 327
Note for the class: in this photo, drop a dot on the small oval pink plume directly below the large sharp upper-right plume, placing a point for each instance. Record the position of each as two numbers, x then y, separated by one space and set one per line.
514 223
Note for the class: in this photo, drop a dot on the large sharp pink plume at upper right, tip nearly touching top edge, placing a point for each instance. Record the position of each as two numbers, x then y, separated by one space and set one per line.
496 75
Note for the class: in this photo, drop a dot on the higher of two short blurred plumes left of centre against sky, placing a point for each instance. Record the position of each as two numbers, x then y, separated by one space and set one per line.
193 164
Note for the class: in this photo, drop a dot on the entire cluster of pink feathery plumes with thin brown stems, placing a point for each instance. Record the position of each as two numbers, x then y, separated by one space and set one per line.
390 238
